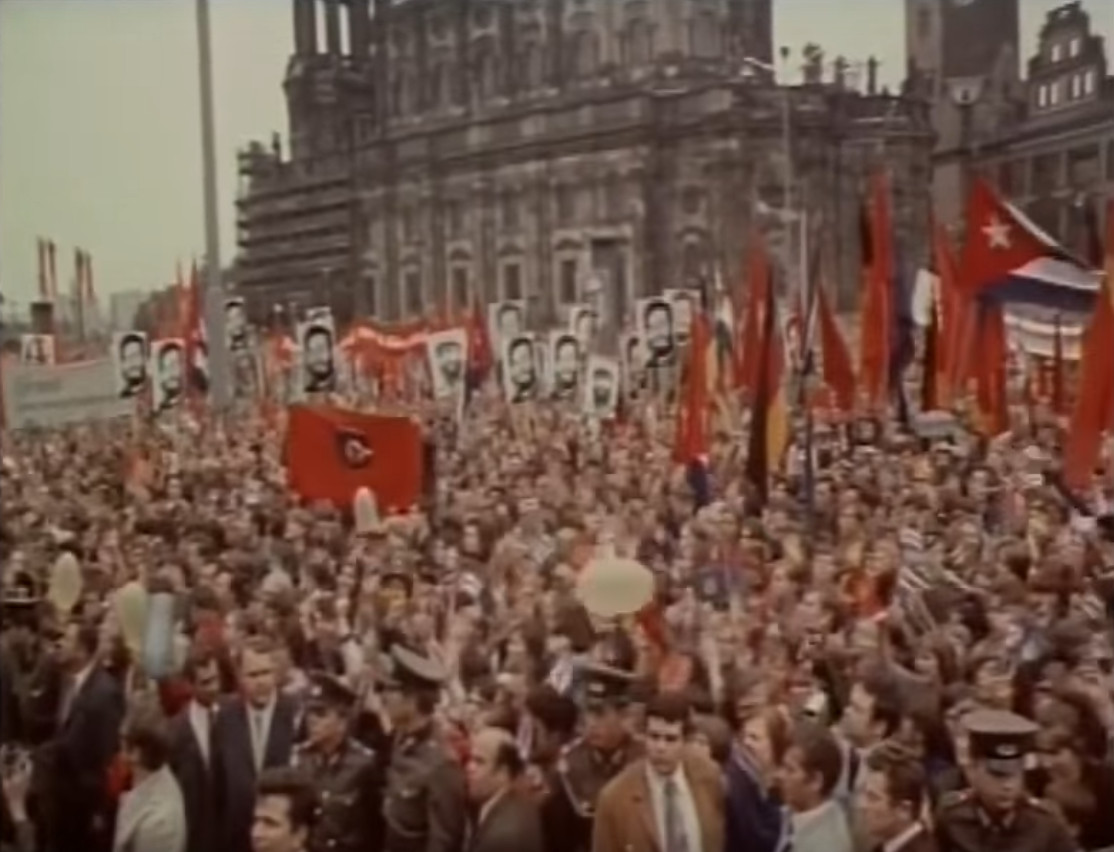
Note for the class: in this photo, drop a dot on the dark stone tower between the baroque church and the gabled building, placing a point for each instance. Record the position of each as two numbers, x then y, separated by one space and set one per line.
964 57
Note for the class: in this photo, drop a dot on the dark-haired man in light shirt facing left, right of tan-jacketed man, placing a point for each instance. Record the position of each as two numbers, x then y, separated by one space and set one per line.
809 775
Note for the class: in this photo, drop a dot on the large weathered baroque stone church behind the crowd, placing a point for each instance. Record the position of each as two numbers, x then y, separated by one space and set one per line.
443 152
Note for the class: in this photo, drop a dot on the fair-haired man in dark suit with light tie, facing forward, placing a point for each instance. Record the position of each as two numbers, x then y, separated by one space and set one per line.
252 732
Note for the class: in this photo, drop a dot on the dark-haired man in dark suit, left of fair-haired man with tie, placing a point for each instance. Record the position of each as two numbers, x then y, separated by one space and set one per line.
192 749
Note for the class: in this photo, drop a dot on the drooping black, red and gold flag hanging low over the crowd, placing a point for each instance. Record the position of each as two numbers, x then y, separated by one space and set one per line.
769 413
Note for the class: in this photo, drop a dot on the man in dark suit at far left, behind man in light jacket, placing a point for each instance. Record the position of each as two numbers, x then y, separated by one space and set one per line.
90 718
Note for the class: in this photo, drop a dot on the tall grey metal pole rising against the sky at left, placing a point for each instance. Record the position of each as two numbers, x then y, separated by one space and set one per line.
220 375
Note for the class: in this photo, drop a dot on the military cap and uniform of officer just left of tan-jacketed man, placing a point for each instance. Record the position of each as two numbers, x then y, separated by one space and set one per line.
583 771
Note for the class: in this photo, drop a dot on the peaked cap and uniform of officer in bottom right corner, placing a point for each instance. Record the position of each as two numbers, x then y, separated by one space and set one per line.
1000 742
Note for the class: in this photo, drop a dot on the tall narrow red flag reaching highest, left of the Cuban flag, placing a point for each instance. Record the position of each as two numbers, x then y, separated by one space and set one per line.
877 308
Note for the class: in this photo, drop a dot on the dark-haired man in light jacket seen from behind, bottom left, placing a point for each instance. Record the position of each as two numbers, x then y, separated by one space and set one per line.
152 816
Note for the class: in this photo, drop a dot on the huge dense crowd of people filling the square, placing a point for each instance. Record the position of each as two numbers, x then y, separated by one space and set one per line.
907 649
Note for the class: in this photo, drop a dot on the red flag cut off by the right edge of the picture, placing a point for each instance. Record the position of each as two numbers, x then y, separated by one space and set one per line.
1095 404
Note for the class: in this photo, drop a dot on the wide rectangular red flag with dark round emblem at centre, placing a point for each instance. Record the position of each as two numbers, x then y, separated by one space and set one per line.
333 453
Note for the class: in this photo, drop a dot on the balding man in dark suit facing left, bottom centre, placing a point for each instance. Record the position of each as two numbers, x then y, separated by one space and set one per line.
506 820
